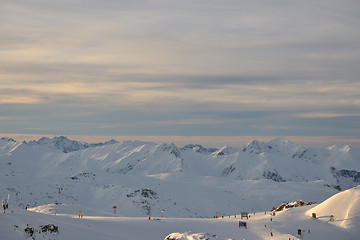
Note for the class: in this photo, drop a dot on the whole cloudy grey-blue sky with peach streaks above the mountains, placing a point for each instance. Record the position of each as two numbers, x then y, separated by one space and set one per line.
214 71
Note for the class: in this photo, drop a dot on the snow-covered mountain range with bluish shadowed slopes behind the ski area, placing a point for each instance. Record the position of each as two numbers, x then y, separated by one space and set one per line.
143 178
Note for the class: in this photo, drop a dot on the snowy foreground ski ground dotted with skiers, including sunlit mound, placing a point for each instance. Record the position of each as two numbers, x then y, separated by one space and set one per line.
17 224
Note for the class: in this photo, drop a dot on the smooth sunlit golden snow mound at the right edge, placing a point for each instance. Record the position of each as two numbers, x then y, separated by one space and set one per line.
344 206
